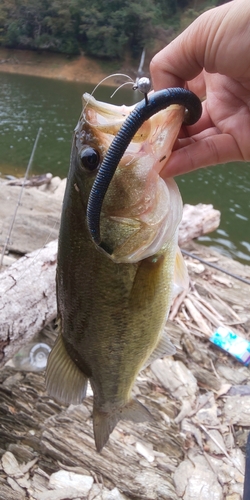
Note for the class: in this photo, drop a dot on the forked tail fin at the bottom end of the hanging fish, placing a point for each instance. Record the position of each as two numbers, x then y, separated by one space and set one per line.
104 423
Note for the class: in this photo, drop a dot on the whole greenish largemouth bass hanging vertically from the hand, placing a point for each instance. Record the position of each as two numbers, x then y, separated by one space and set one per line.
112 306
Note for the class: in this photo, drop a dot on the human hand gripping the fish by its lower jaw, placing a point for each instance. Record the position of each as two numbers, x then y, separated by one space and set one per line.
211 58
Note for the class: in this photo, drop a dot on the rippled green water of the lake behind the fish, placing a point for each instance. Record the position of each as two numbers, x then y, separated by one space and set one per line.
27 103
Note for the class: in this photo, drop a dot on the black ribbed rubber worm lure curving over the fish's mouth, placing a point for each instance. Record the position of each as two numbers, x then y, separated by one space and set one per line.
142 112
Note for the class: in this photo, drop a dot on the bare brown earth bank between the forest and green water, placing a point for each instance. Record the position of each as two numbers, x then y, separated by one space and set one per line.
57 66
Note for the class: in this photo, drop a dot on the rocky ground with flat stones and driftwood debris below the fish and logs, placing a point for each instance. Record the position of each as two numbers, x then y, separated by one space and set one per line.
200 399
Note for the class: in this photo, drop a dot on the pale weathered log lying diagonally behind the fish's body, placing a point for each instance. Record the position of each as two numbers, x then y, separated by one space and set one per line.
27 287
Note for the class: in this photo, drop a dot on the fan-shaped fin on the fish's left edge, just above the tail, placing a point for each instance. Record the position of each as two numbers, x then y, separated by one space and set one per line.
64 381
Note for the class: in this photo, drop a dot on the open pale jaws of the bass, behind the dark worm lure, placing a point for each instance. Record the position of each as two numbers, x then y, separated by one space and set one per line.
154 137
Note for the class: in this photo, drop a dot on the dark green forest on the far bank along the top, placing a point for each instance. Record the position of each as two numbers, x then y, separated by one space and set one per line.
100 28
